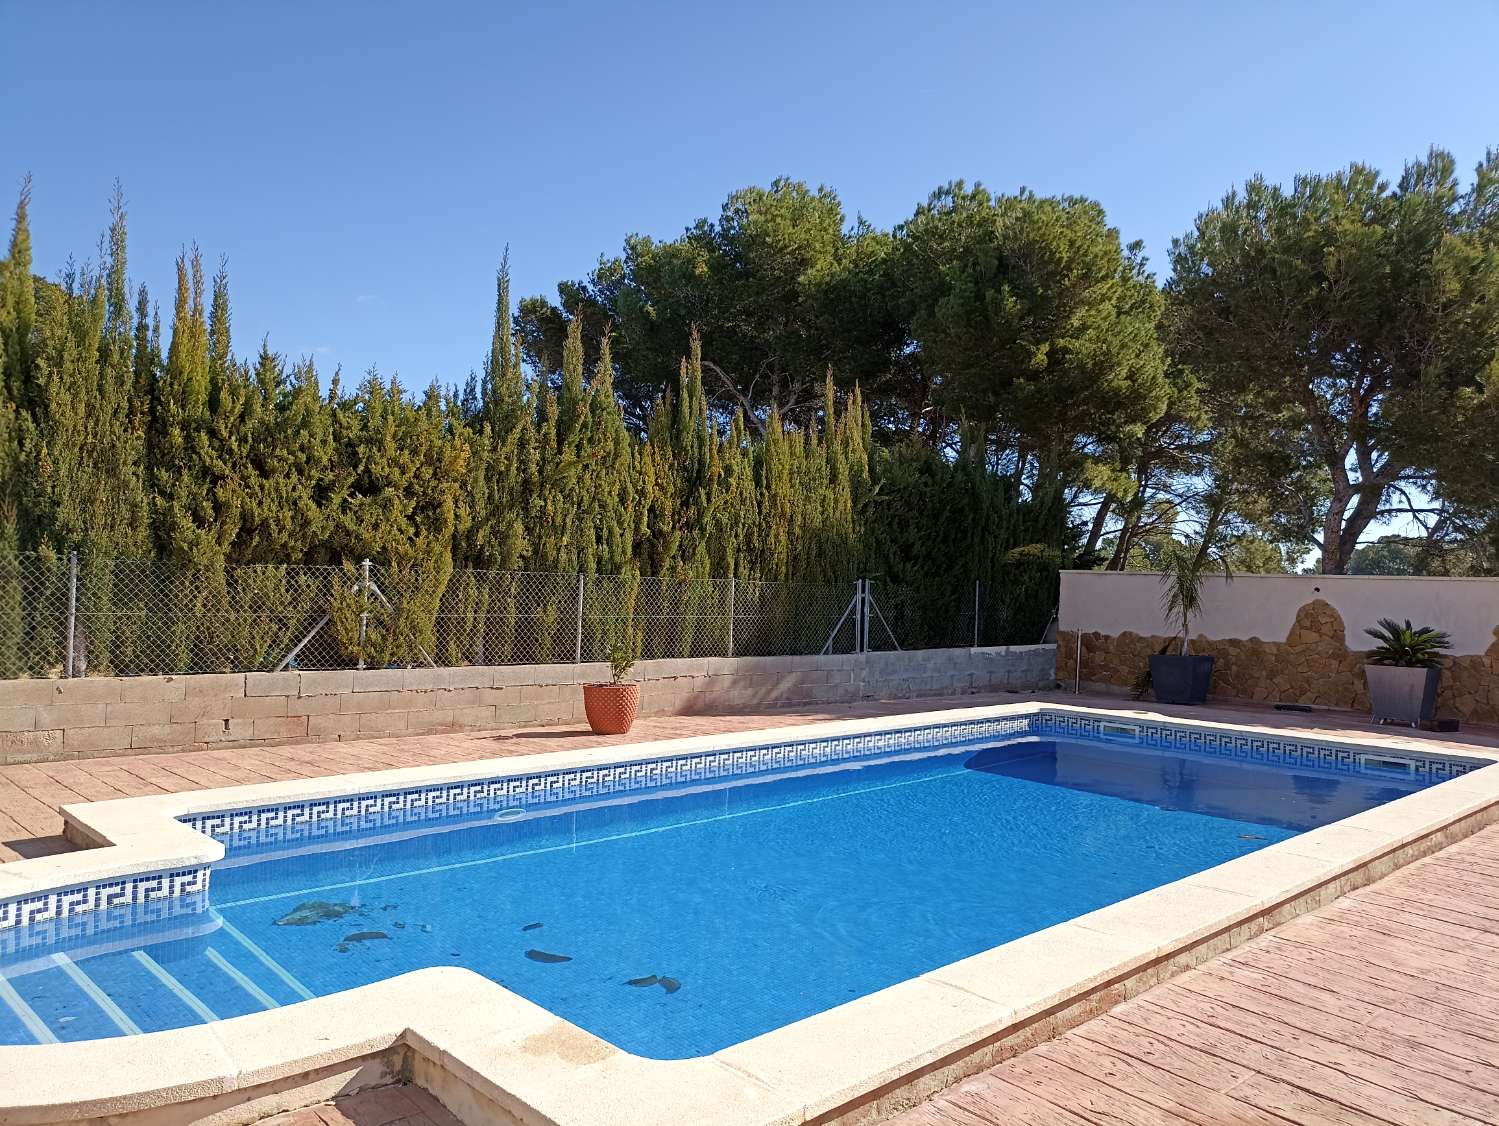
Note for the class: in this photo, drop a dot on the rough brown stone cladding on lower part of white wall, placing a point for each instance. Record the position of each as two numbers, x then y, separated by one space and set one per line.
1312 665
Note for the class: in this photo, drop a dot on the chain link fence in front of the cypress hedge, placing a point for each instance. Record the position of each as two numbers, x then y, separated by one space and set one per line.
79 617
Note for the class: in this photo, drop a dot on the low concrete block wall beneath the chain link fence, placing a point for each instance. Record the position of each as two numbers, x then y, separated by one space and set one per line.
91 717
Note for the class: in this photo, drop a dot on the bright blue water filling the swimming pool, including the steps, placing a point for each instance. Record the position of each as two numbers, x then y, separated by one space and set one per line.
681 923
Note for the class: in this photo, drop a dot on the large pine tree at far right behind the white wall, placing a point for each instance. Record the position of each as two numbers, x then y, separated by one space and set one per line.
1345 332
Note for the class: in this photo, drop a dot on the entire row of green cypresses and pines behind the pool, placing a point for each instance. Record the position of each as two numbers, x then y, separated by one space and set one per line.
992 389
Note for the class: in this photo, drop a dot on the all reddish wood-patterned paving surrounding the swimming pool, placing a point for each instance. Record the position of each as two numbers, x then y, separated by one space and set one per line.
1381 1008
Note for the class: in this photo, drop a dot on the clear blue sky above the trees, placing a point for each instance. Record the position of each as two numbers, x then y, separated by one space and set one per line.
365 164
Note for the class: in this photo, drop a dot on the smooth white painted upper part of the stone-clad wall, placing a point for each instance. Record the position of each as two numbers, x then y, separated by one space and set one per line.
1266 605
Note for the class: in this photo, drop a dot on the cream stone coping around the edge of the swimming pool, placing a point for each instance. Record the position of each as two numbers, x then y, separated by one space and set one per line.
504 1059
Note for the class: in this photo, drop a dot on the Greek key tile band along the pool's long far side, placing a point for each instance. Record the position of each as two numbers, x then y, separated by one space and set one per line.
310 821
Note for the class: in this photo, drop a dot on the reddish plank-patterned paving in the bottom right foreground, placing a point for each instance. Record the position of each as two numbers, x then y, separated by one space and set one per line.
1380 1008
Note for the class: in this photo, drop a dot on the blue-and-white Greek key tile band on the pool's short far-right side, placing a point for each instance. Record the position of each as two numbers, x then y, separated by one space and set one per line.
1252 747
